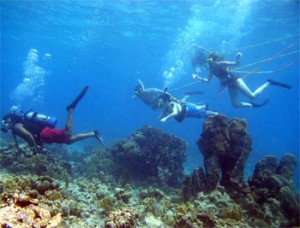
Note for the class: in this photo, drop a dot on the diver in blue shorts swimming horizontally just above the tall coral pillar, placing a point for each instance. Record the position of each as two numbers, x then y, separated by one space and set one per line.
180 109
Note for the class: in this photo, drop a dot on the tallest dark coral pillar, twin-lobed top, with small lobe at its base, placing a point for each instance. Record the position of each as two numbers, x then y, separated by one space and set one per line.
225 145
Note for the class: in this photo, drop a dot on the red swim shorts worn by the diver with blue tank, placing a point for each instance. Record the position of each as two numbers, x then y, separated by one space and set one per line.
51 135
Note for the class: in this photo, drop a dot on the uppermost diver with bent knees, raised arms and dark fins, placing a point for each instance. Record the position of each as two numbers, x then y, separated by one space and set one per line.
220 68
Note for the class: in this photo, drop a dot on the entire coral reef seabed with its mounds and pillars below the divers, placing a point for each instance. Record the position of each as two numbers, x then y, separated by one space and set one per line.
139 183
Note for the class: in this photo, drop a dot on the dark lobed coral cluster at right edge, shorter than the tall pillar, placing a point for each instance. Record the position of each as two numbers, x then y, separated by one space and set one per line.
272 186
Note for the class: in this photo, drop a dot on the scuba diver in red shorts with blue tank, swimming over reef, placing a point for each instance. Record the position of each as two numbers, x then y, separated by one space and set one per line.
37 129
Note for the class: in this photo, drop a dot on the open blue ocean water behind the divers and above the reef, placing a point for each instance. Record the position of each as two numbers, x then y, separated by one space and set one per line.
109 45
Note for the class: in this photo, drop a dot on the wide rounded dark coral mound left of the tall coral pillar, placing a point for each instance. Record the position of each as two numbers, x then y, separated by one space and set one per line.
151 154
